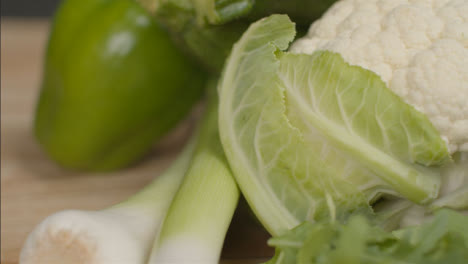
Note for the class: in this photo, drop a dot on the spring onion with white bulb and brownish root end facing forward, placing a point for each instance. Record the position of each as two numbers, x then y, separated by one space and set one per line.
120 234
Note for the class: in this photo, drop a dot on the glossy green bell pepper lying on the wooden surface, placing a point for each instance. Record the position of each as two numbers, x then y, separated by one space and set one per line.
113 84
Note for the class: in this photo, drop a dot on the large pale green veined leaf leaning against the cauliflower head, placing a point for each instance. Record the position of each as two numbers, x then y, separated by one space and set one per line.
309 136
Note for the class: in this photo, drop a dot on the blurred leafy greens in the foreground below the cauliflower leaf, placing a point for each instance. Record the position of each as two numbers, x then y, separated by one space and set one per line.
443 240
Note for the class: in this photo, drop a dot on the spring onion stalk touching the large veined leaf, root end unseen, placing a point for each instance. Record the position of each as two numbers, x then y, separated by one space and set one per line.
196 224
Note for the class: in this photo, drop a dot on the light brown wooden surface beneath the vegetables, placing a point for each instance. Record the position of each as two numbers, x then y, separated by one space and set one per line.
33 187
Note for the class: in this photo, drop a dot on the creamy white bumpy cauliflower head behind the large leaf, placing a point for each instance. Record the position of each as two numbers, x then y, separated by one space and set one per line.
418 47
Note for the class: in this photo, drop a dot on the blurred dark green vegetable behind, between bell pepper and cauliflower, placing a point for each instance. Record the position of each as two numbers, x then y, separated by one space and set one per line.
207 29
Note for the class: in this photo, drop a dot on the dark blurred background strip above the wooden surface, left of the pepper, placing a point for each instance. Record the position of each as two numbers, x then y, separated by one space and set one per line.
28 8
